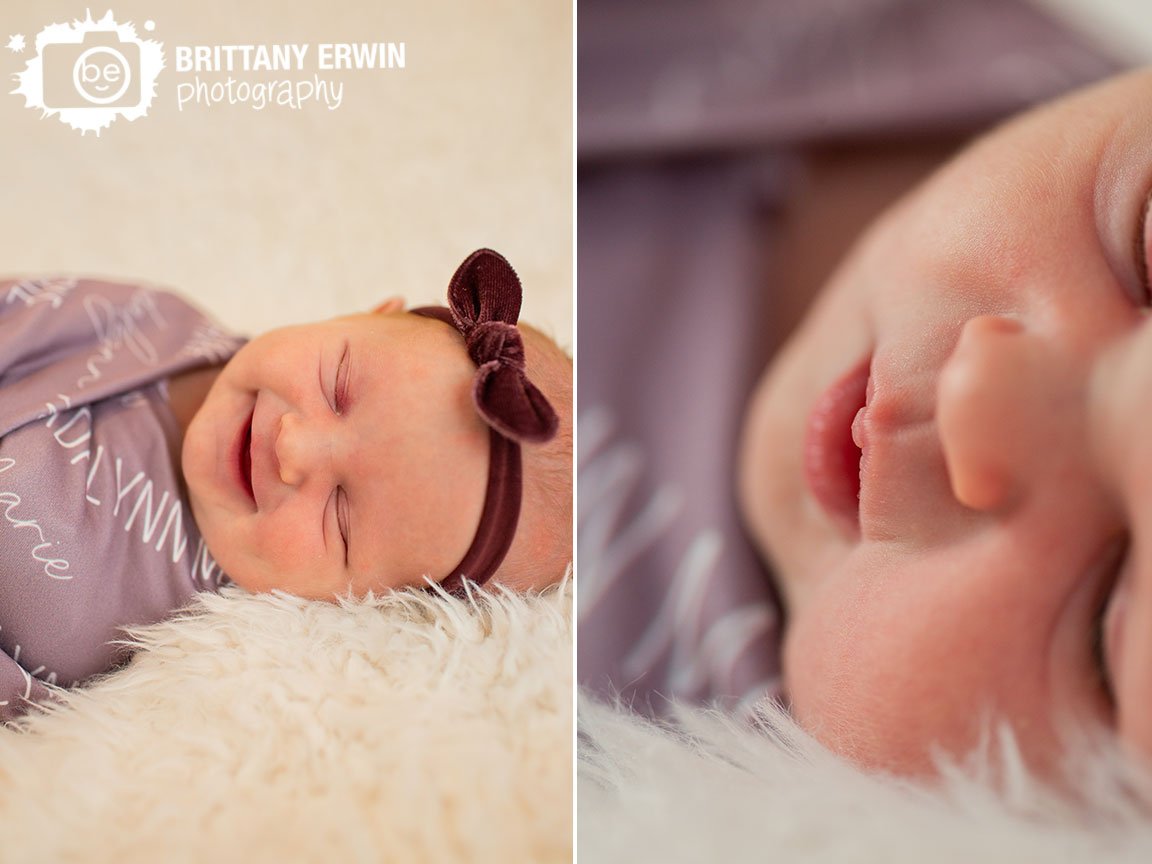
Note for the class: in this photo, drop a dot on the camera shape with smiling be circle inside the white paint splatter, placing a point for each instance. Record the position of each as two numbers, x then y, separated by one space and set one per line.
103 72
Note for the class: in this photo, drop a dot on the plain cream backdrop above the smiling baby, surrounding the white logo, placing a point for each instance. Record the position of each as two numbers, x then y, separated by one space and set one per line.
281 216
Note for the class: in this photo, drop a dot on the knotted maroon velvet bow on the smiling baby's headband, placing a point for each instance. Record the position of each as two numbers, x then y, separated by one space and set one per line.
484 299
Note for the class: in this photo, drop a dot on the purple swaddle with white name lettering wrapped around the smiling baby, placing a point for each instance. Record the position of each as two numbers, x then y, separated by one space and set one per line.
96 533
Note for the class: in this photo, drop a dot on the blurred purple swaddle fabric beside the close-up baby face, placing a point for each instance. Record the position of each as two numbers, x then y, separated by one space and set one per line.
688 118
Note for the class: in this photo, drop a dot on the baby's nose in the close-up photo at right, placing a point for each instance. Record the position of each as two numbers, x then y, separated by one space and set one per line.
996 411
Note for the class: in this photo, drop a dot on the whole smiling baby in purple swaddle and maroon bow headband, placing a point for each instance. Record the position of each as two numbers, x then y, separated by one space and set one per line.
146 456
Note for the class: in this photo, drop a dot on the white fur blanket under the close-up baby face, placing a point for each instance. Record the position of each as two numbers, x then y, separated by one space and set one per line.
714 791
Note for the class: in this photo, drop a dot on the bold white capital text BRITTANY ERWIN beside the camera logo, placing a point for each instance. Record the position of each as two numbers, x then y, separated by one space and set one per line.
291 58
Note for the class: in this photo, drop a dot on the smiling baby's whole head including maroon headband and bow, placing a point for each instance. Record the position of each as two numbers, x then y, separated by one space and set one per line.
352 454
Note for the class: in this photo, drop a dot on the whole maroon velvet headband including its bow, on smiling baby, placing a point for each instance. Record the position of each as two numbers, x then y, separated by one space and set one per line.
484 299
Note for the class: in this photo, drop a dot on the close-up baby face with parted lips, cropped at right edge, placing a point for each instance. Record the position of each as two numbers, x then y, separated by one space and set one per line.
982 367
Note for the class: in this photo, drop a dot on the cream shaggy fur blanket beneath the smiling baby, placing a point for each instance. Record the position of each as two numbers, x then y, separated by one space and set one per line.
408 729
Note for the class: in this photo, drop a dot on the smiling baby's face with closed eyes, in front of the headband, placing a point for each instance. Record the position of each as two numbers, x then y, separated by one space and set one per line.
340 456
